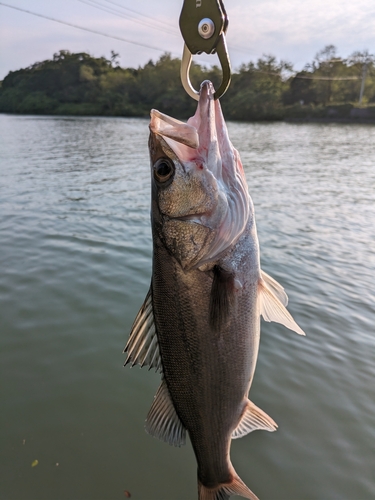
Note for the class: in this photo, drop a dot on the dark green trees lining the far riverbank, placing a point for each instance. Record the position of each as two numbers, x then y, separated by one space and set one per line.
330 87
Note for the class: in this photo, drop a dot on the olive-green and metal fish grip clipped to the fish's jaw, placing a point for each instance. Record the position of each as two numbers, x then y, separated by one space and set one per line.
203 24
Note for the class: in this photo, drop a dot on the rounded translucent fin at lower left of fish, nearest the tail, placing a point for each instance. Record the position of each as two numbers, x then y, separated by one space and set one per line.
162 420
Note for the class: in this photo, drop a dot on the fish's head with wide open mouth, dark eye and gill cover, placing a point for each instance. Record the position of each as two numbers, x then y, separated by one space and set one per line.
200 200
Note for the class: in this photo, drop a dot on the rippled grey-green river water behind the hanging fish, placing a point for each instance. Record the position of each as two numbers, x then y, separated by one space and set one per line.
75 259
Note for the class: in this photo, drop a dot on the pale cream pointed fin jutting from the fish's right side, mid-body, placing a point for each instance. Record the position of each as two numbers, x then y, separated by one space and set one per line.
272 309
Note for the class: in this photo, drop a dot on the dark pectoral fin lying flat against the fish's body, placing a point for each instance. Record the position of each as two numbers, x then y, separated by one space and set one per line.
221 297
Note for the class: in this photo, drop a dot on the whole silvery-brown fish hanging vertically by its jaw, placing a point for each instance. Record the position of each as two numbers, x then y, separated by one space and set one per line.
199 325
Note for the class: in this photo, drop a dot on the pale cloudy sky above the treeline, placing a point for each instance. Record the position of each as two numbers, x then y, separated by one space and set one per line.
291 30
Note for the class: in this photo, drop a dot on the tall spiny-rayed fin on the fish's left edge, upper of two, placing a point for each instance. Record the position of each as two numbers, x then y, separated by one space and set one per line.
142 346
